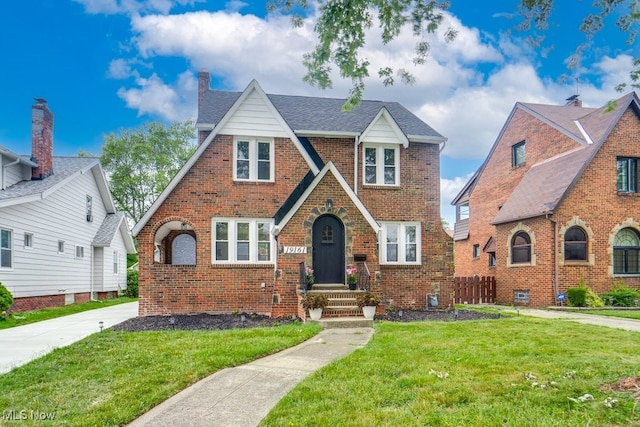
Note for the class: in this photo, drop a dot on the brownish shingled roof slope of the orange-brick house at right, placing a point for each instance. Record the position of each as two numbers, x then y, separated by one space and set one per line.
547 183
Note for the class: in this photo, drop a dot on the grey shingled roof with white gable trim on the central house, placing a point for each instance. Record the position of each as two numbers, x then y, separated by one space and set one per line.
300 116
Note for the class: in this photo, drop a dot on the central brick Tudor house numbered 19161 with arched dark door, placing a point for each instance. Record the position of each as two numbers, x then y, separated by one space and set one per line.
272 187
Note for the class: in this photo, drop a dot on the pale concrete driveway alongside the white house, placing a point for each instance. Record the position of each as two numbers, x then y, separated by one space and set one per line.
31 341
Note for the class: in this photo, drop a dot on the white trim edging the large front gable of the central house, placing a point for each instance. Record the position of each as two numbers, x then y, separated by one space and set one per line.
253 86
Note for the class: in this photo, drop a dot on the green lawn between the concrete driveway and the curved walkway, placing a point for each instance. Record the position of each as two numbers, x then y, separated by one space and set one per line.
110 378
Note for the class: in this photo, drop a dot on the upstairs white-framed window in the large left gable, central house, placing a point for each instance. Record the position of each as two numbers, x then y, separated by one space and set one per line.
253 159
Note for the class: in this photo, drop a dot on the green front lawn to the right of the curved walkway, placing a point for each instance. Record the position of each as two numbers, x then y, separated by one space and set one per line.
516 371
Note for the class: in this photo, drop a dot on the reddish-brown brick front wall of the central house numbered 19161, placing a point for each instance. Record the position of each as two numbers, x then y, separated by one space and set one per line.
208 190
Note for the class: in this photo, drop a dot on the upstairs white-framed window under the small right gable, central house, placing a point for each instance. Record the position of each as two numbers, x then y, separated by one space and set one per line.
381 164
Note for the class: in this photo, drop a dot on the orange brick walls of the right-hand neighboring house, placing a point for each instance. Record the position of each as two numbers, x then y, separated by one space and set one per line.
591 203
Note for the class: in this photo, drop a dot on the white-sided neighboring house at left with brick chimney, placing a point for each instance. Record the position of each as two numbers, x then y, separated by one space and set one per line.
61 238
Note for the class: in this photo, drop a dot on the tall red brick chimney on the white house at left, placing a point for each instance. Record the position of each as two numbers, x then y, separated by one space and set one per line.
41 139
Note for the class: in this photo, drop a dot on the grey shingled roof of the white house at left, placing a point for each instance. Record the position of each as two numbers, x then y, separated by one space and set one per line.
65 169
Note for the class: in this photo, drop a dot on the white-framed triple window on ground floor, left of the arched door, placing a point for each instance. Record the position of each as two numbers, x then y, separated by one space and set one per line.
232 252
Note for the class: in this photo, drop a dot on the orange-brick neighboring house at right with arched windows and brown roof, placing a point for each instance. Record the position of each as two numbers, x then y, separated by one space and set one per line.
555 203
